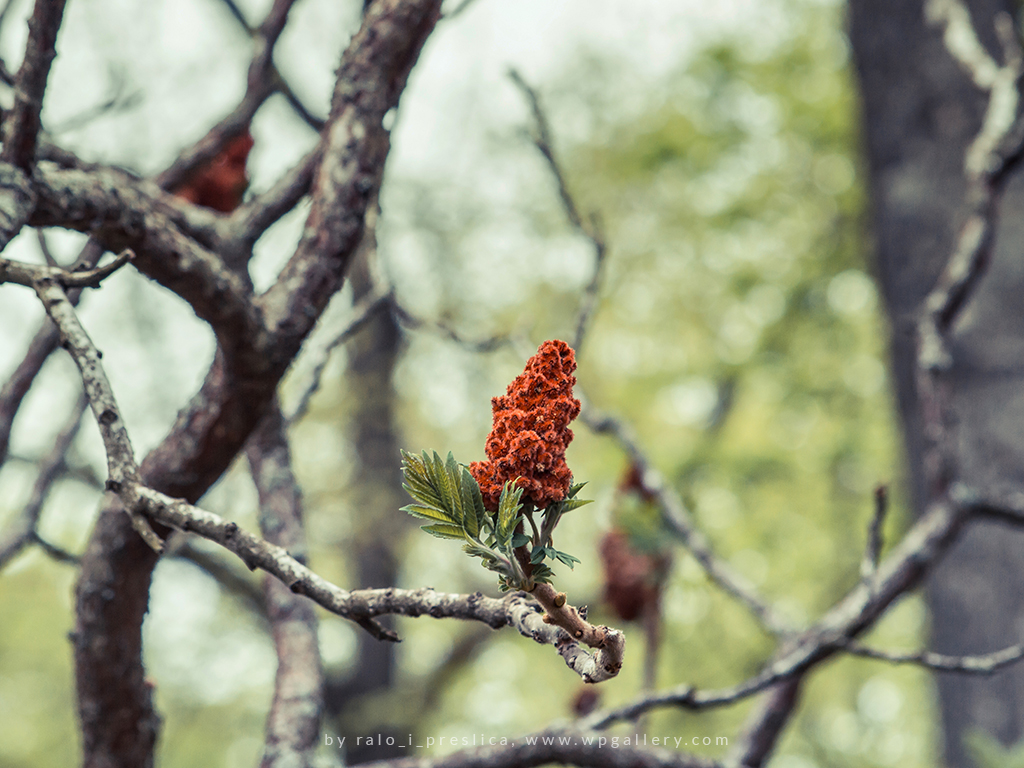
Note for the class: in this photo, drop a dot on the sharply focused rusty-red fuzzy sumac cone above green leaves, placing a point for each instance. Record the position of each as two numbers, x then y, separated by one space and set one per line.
531 431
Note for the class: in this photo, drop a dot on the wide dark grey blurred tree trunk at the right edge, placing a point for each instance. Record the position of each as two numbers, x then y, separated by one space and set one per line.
920 114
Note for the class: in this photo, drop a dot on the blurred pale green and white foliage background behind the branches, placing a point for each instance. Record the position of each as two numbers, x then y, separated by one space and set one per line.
739 333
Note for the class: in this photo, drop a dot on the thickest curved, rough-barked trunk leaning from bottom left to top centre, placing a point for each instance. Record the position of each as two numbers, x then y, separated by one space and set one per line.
115 703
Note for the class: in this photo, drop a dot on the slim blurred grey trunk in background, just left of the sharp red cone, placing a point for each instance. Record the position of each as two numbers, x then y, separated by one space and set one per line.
376 497
